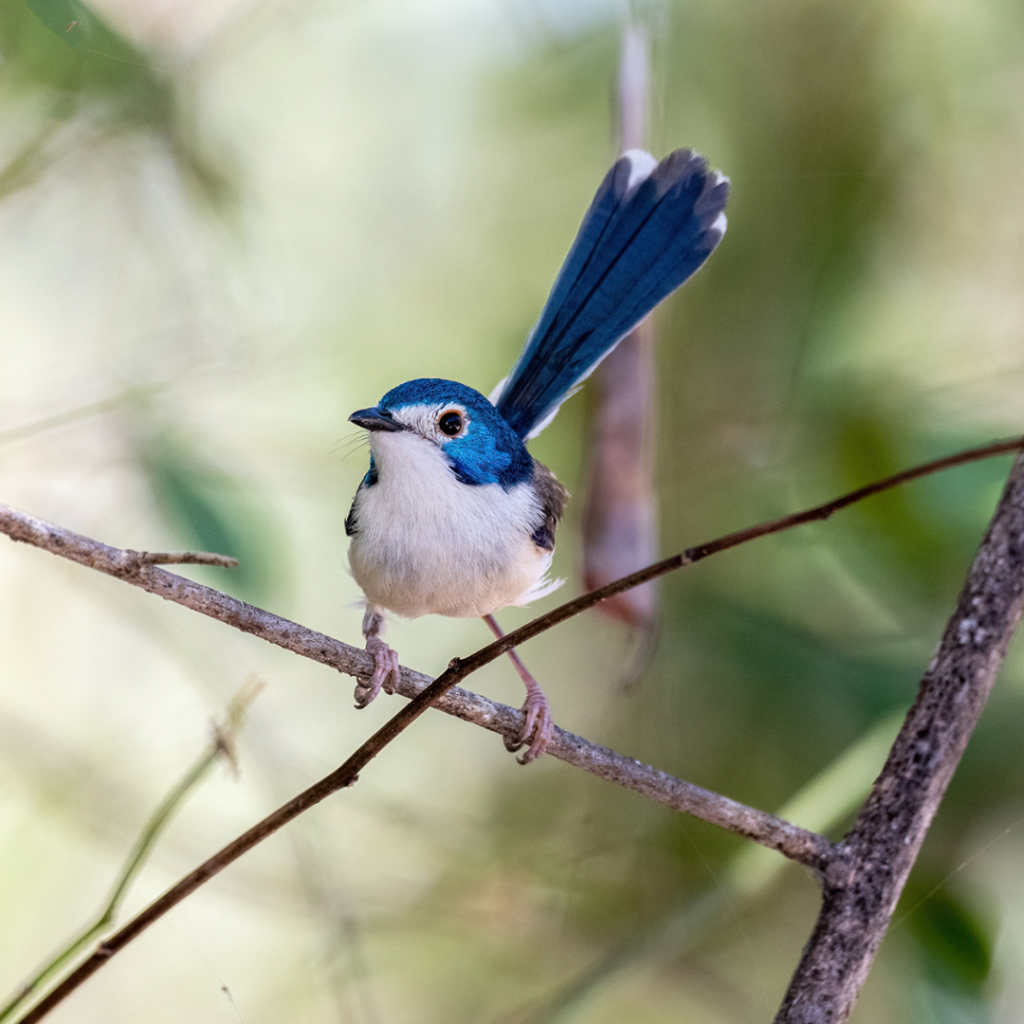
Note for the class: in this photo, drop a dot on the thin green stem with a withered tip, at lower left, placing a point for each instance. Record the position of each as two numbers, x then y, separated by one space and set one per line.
221 746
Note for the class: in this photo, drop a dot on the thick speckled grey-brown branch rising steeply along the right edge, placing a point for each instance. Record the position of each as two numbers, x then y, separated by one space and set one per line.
863 886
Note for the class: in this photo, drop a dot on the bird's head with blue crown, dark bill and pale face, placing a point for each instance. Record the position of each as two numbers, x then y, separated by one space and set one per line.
460 423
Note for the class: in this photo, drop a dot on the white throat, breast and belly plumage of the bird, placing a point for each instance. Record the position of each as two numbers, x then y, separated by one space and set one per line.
426 543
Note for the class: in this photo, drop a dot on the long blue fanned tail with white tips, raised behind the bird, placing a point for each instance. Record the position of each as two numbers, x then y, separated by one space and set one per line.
650 228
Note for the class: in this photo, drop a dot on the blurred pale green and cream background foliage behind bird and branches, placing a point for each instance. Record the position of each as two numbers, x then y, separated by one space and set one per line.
227 225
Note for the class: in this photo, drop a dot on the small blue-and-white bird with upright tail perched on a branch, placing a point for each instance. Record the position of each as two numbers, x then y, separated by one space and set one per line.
454 517
